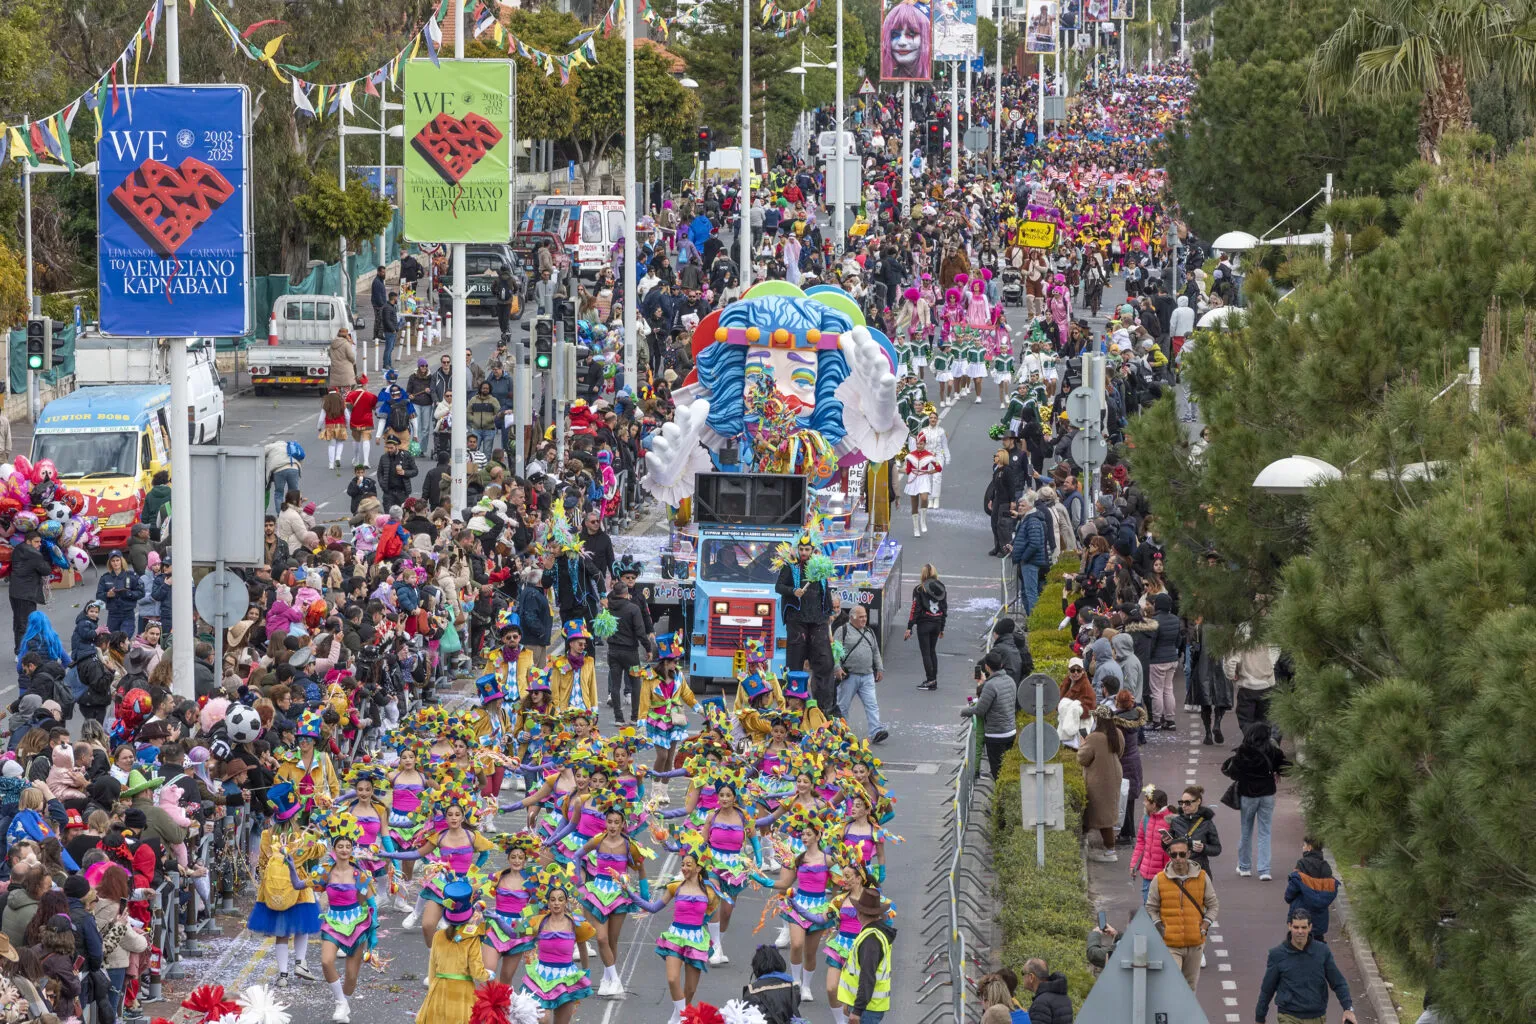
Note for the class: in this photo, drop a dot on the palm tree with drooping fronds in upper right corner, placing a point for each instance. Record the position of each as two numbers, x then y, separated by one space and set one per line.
1426 50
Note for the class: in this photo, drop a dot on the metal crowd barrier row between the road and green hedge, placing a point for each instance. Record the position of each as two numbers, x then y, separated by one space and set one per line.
956 940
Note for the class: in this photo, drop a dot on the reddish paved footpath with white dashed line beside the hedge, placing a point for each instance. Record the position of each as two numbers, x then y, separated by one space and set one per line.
1253 916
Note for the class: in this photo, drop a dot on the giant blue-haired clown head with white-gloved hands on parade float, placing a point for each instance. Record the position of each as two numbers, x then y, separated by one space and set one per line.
796 380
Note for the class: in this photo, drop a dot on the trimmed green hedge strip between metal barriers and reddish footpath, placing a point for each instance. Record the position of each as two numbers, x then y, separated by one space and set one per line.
1045 913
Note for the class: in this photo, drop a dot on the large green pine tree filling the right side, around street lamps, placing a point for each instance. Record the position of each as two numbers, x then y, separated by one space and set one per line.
1406 607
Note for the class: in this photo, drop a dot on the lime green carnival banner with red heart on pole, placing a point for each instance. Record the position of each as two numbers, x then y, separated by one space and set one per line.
457 151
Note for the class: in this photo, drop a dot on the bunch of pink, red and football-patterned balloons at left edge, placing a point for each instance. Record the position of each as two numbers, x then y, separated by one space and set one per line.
35 501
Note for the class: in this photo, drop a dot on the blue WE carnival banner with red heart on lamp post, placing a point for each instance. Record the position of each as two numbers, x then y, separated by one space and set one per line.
174 213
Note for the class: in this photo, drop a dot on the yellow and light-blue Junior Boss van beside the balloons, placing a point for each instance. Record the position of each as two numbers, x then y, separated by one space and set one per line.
108 443
